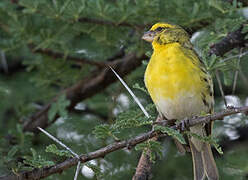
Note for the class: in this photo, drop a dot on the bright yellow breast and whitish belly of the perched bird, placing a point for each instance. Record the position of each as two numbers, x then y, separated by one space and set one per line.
173 81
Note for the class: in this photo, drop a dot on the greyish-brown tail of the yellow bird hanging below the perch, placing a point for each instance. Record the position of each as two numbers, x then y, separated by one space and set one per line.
203 163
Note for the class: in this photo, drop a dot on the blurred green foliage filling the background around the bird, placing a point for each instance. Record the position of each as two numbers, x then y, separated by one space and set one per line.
97 30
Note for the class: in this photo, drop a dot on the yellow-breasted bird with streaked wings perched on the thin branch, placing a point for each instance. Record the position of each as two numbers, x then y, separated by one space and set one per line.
180 87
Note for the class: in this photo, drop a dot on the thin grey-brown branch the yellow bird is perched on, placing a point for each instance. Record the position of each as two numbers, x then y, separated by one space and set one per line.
100 153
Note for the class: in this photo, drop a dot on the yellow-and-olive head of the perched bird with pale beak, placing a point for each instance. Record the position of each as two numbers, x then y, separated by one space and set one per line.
163 33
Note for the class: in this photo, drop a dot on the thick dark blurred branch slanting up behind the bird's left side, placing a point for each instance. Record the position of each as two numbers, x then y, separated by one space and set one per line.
86 88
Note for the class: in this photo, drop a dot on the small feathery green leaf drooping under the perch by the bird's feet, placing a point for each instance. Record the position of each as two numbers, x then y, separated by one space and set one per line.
171 132
